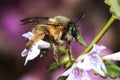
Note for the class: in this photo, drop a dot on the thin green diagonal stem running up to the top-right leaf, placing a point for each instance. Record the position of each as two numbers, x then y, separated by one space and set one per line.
99 36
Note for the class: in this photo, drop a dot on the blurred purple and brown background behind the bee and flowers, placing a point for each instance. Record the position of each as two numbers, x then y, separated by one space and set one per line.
12 43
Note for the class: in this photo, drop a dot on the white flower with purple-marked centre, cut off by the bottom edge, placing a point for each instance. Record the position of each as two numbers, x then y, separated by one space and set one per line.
76 73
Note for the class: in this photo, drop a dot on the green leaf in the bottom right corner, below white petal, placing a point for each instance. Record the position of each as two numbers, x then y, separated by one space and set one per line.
113 71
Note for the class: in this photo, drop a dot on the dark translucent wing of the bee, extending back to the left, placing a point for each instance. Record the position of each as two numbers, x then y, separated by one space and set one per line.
35 20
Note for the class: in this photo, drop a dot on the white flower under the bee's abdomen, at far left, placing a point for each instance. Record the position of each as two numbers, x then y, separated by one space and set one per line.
34 51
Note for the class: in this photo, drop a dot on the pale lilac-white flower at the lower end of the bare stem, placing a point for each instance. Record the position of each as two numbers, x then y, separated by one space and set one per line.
92 60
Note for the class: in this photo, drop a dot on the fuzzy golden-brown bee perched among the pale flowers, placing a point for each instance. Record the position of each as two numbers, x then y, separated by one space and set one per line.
56 30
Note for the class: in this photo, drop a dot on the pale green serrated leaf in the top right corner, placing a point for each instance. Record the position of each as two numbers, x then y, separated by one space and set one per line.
114 7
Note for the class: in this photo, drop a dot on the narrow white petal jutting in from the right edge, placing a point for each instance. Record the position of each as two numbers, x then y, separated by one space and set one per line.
114 56
